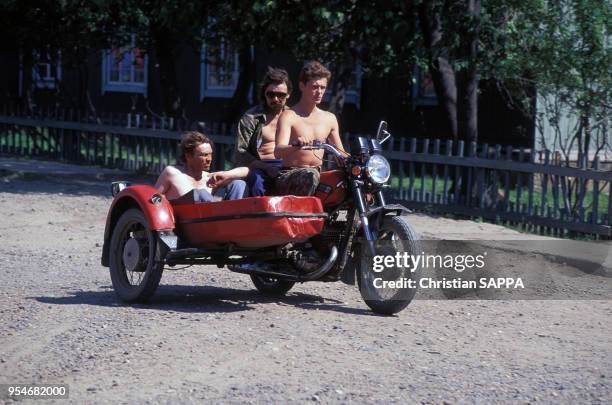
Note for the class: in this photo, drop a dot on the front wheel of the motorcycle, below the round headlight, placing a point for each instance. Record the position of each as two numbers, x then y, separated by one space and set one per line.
401 238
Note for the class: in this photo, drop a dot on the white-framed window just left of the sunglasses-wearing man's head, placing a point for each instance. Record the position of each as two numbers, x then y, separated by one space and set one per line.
218 72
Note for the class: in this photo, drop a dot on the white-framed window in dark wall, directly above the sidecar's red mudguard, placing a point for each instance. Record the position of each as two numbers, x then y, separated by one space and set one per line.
125 69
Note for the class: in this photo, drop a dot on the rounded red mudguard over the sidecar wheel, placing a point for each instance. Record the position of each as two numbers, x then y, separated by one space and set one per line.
154 205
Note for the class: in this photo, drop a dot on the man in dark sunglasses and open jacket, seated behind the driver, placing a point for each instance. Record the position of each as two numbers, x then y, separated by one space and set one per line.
257 131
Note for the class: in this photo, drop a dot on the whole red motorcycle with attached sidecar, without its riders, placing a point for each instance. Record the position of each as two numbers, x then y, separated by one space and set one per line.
279 240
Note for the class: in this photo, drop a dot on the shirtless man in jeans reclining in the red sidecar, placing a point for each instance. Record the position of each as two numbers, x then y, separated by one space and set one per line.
193 183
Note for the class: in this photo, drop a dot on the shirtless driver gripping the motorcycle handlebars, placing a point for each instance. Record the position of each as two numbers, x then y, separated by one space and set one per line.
301 125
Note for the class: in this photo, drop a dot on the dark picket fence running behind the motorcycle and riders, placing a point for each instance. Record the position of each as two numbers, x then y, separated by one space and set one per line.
504 185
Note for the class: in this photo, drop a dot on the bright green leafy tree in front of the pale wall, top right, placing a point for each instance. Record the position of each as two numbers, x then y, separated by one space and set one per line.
564 50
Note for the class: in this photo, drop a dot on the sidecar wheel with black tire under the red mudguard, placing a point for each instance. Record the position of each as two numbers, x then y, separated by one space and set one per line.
136 257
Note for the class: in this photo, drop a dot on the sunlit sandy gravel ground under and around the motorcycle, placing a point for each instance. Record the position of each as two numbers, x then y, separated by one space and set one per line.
207 335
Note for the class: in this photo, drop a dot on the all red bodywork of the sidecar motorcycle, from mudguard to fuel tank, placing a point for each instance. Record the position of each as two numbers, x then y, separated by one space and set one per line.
250 222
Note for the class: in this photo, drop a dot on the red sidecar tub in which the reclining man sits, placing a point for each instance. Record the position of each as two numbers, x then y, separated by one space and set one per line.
250 222
